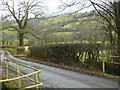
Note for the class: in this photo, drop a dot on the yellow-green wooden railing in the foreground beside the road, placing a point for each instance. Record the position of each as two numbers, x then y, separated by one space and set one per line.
20 75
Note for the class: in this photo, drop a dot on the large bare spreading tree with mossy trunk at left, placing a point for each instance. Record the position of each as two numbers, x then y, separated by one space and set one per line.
22 12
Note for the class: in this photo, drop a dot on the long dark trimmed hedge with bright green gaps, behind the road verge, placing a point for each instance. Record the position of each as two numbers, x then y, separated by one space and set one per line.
83 55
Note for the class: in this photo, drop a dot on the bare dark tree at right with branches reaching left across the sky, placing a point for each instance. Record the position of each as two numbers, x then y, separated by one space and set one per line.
108 11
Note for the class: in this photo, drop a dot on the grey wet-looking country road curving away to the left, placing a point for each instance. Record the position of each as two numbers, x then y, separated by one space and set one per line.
60 78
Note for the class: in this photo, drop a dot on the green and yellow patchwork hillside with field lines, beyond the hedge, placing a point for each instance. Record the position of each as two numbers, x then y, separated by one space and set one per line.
65 28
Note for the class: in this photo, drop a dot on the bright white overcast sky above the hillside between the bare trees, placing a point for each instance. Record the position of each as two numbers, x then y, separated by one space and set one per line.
53 7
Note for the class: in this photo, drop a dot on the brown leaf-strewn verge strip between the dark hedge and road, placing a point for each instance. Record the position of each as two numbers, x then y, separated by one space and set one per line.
75 68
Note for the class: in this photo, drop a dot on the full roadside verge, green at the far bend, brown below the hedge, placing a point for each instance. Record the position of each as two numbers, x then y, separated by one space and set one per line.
62 65
